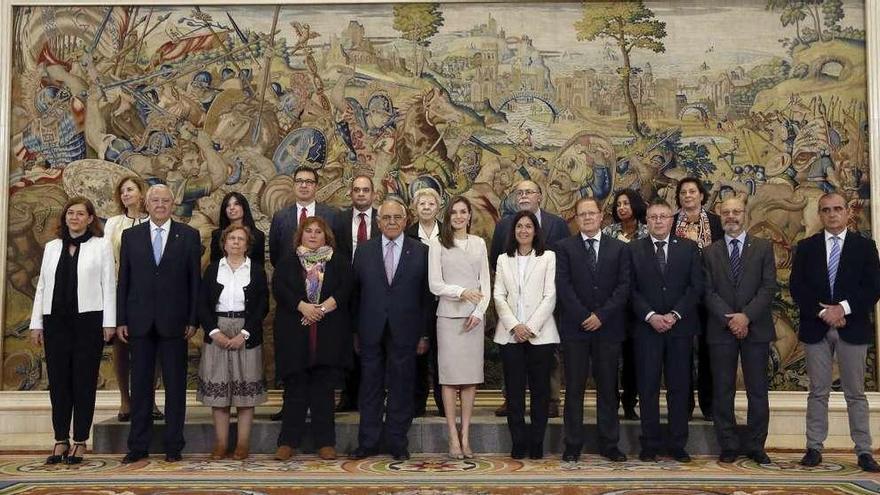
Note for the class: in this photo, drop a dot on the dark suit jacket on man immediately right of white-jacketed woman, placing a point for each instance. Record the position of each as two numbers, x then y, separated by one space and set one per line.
581 292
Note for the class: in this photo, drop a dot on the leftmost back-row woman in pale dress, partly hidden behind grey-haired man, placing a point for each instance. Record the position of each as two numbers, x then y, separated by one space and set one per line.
129 196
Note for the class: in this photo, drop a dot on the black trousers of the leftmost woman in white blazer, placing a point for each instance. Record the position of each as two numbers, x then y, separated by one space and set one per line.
74 346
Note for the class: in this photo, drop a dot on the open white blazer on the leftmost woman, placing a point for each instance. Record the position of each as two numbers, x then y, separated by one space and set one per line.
96 280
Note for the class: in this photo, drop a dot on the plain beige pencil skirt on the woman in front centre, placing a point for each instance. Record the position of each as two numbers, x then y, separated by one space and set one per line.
459 353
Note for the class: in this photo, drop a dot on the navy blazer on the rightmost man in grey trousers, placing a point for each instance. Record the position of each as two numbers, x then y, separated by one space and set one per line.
857 282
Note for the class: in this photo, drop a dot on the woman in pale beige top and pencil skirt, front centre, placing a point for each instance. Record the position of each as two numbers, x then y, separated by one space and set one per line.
458 273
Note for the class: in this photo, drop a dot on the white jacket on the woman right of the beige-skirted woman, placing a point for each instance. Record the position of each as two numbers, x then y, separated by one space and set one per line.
538 295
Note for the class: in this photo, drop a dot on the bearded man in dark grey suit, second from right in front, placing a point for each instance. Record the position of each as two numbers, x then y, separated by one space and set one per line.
740 285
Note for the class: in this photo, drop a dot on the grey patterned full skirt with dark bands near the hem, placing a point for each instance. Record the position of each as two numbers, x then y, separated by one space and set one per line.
231 377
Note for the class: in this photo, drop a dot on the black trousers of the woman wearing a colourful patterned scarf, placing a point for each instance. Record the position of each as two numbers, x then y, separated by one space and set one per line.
309 390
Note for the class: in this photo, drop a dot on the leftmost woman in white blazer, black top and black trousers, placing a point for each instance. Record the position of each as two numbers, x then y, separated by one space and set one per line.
75 299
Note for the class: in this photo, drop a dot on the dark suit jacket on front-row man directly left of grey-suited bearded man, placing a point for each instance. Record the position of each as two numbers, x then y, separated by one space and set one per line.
679 290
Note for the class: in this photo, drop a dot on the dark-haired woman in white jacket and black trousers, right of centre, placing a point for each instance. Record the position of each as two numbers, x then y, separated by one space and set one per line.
525 295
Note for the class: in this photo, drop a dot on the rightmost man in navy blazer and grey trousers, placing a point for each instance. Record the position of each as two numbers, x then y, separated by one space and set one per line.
835 281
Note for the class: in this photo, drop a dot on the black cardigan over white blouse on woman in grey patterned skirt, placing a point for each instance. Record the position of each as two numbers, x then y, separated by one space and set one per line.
256 302
